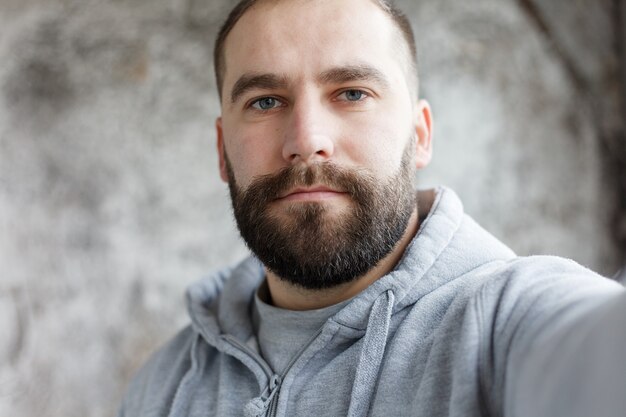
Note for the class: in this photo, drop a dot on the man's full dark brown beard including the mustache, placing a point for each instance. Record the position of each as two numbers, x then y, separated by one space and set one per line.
313 246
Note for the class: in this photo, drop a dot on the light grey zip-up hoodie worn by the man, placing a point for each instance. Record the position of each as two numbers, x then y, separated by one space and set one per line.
461 327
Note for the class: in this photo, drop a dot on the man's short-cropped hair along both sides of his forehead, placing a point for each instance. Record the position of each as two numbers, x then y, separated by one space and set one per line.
398 19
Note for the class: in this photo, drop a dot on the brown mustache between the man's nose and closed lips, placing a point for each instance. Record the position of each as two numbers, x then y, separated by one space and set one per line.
267 188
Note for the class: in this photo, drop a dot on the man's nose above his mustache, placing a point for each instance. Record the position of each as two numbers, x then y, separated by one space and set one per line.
308 139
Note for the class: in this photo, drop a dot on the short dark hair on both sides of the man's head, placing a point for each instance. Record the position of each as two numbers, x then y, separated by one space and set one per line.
396 15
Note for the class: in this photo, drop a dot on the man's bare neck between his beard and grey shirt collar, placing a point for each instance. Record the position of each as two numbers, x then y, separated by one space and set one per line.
288 296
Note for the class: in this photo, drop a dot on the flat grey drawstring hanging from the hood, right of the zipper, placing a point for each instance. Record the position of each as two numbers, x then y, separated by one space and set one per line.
372 351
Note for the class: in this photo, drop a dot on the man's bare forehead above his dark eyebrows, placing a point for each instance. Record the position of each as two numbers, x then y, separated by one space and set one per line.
297 38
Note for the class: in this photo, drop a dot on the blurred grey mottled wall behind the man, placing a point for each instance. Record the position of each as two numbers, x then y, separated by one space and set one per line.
110 202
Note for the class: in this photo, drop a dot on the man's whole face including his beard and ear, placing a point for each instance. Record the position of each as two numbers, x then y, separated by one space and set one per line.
319 138
